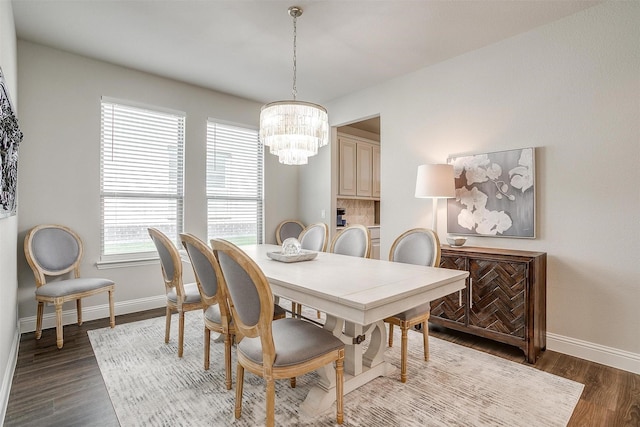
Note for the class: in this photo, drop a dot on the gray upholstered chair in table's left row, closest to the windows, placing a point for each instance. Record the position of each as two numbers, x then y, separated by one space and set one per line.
181 297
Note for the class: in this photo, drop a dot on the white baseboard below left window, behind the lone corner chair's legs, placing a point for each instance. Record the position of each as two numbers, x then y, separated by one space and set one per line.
28 324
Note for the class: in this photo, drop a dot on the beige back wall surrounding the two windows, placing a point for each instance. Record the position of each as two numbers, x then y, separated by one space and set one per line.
59 179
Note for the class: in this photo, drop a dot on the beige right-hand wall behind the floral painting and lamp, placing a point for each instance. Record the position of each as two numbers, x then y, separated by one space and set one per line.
571 89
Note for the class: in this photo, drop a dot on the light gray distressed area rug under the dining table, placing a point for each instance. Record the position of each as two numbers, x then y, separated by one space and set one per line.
150 386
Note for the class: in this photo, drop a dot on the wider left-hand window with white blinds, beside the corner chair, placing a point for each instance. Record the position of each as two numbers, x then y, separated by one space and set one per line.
142 164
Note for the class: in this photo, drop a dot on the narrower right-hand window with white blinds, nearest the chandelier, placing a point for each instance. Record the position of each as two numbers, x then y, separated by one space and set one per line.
234 183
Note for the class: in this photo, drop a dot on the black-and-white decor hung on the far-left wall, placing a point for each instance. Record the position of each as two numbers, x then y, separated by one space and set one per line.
10 137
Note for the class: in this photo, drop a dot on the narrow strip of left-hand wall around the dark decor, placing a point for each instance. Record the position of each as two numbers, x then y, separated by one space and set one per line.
8 227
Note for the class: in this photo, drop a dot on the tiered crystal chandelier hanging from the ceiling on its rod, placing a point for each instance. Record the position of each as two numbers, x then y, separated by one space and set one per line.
294 130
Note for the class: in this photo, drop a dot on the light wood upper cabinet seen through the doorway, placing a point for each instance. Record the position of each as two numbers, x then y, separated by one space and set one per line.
359 167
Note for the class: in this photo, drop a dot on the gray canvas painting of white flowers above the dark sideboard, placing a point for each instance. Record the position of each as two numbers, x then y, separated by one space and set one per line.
495 194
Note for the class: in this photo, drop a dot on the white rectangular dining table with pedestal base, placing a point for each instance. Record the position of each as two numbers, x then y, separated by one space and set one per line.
356 294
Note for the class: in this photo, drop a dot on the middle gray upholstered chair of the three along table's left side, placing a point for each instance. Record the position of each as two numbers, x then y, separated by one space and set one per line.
217 316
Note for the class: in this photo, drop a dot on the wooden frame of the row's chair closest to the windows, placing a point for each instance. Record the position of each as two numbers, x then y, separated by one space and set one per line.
173 282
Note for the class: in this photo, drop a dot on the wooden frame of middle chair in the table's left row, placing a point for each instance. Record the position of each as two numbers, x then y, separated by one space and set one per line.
225 327
